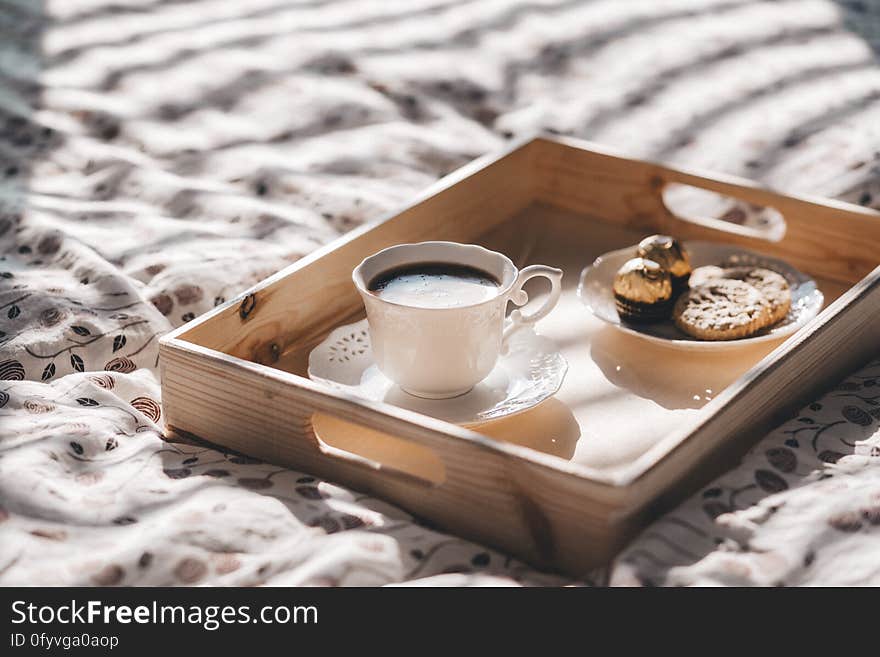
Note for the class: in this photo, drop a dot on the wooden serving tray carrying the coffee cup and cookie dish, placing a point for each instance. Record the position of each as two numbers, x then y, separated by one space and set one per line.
635 426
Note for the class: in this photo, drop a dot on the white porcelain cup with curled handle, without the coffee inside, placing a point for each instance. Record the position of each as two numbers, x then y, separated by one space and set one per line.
444 352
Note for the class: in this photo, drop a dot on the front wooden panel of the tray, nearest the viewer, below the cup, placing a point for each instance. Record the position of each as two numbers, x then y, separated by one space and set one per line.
528 508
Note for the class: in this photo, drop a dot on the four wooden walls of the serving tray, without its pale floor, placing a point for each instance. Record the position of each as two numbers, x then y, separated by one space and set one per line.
553 512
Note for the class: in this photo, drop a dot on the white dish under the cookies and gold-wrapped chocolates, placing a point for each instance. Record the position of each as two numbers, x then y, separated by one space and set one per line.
596 293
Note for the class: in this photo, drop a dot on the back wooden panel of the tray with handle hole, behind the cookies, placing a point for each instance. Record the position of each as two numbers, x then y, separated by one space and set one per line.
832 240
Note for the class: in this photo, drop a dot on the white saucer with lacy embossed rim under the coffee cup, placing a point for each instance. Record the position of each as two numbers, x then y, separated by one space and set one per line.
531 371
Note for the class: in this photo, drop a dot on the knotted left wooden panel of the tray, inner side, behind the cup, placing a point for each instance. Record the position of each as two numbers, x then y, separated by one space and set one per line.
309 297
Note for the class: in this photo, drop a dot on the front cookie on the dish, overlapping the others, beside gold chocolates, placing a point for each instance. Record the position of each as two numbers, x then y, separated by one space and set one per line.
722 309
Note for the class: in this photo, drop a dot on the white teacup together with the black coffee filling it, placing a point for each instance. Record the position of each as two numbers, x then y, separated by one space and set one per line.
436 312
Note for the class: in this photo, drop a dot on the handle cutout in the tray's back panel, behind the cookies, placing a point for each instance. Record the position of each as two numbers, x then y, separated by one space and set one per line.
727 207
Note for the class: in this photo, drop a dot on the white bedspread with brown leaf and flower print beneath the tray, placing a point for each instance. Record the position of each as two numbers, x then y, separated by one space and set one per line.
158 157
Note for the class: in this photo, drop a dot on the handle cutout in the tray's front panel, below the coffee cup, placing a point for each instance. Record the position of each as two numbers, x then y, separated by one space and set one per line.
378 451
